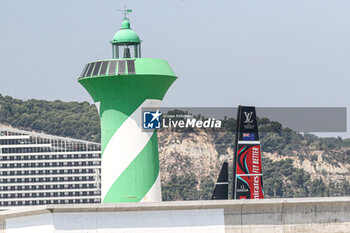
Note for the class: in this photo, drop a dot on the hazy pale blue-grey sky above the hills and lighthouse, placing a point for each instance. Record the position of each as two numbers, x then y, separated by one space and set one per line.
269 53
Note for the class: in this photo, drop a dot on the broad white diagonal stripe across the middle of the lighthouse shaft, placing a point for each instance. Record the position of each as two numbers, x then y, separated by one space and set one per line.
124 146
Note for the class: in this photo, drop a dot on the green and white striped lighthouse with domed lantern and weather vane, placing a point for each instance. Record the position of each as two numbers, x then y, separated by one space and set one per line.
121 87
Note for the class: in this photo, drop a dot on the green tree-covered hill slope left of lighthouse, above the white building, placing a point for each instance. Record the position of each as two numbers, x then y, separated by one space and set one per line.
67 119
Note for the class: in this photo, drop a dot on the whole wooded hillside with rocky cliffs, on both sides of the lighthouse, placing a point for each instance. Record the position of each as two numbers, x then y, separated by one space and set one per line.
294 164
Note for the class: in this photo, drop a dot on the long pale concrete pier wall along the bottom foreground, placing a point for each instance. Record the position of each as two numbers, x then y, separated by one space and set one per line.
230 216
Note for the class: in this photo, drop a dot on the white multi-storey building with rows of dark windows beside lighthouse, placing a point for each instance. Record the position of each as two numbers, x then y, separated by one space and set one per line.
39 169
